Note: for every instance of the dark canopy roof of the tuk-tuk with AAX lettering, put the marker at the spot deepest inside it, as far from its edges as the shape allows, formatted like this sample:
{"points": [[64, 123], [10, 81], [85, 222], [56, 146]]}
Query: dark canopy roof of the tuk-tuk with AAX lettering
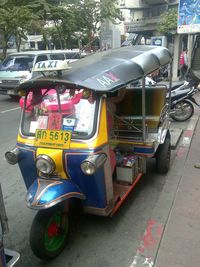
{"points": [[109, 70]]}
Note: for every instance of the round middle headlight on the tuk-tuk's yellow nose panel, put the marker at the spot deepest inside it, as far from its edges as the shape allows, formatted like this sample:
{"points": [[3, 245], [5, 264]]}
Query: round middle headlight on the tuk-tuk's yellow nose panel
{"points": [[45, 164]]}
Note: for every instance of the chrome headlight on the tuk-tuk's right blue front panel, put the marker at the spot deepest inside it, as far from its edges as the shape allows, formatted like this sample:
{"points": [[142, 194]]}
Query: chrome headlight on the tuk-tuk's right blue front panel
{"points": [[90, 165]]}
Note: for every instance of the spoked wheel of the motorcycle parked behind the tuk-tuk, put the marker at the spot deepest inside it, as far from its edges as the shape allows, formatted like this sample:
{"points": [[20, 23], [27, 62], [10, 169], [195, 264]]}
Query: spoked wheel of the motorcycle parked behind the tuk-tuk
{"points": [[182, 111]]}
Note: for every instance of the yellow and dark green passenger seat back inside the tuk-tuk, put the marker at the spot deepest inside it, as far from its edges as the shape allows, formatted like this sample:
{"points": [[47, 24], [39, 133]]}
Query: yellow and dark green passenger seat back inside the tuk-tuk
{"points": [[131, 108]]}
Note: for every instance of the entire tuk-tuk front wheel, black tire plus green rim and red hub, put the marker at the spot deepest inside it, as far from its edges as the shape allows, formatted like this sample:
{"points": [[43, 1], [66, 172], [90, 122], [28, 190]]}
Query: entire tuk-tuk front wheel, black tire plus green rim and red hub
{"points": [[49, 232]]}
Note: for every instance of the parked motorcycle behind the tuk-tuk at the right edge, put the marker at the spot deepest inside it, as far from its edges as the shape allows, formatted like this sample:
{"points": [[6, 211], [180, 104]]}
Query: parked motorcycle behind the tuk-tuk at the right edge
{"points": [[182, 101]]}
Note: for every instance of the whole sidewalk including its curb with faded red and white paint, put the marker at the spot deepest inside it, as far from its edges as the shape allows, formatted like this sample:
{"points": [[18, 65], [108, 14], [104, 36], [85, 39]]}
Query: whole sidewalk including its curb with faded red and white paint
{"points": [[172, 235]]}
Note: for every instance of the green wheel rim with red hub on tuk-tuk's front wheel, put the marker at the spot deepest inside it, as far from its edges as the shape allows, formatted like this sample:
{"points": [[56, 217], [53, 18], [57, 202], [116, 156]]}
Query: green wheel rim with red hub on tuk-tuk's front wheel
{"points": [[56, 231]]}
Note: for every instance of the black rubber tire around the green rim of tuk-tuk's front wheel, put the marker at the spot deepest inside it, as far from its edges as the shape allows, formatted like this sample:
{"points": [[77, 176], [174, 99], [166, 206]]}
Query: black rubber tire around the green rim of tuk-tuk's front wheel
{"points": [[38, 230]]}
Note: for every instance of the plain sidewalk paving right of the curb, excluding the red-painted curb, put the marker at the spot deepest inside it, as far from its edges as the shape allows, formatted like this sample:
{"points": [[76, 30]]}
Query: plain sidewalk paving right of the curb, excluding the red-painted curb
{"points": [[180, 242]]}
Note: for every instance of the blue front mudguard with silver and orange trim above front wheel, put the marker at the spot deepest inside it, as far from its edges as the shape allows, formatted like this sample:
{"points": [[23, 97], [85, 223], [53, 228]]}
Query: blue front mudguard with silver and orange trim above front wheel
{"points": [[45, 193]]}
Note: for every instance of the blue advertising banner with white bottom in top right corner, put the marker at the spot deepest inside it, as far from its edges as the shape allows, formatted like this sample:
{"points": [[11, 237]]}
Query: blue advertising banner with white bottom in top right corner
{"points": [[189, 16]]}
